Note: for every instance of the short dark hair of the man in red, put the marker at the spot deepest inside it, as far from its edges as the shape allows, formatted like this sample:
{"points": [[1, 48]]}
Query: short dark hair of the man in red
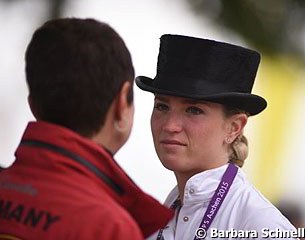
{"points": [[74, 70]]}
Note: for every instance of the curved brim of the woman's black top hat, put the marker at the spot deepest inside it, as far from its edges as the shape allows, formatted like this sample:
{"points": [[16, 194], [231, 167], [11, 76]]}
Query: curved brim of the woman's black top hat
{"points": [[251, 103]]}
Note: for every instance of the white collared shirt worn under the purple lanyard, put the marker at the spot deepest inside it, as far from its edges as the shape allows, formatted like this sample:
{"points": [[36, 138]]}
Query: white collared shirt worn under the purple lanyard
{"points": [[244, 208]]}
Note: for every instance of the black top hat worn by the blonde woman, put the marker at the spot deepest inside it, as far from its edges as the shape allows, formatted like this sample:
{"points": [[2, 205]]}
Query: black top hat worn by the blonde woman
{"points": [[208, 70]]}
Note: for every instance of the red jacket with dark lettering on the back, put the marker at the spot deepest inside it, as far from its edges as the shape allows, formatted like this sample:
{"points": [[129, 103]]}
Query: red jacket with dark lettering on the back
{"points": [[64, 186]]}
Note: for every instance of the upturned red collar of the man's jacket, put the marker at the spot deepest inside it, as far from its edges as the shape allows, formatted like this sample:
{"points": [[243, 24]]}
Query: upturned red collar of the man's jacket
{"points": [[132, 198]]}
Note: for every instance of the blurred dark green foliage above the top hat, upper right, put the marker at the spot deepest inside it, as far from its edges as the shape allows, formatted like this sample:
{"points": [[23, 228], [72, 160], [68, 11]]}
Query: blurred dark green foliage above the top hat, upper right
{"points": [[272, 26]]}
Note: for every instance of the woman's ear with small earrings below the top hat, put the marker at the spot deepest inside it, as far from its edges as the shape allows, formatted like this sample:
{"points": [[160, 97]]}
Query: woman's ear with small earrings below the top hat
{"points": [[237, 124]]}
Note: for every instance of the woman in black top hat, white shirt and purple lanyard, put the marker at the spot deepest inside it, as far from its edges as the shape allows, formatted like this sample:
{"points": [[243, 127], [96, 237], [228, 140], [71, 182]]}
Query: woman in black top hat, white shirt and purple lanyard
{"points": [[202, 103]]}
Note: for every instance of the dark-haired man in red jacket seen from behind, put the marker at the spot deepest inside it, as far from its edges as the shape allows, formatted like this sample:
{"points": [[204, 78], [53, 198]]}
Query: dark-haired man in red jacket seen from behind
{"points": [[65, 183]]}
